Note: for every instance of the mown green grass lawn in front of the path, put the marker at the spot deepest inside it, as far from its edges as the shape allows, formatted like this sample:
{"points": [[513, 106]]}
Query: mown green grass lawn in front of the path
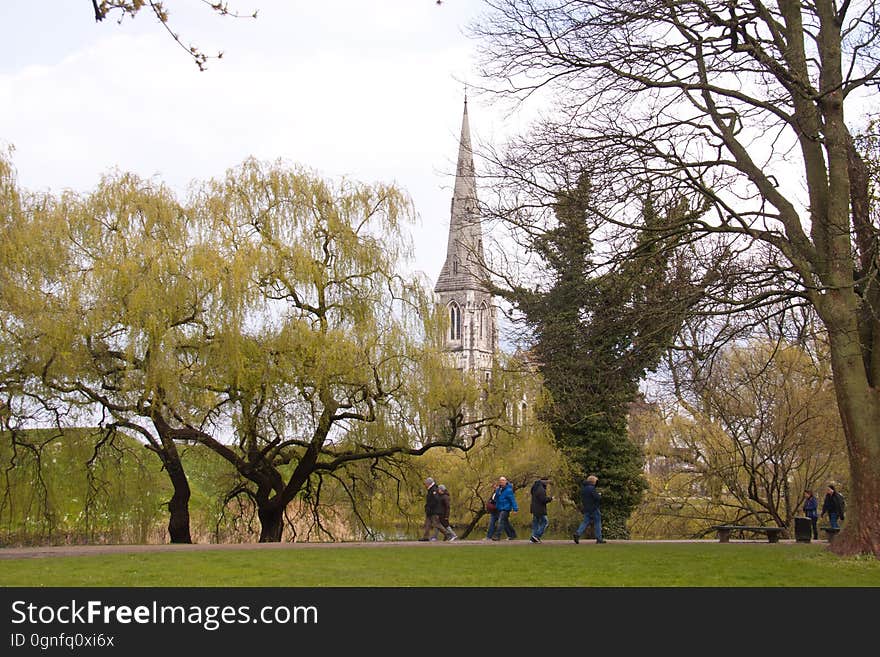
{"points": [[461, 565]]}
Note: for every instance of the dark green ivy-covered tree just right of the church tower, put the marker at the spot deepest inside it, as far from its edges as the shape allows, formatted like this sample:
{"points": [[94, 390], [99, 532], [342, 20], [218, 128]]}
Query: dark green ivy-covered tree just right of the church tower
{"points": [[595, 334]]}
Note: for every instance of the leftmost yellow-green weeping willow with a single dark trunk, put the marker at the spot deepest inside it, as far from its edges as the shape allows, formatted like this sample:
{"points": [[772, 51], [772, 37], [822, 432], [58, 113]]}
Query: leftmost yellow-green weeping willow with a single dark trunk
{"points": [[103, 305]]}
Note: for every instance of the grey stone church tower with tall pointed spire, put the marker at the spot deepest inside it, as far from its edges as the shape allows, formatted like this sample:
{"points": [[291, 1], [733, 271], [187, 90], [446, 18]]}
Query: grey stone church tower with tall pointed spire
{"points": [[471, 331]]}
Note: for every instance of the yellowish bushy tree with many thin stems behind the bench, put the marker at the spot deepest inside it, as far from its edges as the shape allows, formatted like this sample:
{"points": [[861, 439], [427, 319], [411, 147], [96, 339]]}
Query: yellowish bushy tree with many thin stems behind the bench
{"points": [[746, 438]]}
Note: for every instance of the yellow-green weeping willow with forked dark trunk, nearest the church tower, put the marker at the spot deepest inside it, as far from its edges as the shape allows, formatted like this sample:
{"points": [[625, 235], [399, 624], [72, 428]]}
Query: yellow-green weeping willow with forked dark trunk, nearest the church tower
{"points": [[320, 347]]}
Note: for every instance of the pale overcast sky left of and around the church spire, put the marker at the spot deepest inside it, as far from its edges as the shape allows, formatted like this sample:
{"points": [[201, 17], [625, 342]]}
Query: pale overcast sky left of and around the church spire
{"points": [[368, 89]]}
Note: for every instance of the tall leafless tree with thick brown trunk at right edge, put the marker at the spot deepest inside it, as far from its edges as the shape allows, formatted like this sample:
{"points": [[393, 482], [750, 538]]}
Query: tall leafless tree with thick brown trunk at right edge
{"points": [[743, 105]]}
